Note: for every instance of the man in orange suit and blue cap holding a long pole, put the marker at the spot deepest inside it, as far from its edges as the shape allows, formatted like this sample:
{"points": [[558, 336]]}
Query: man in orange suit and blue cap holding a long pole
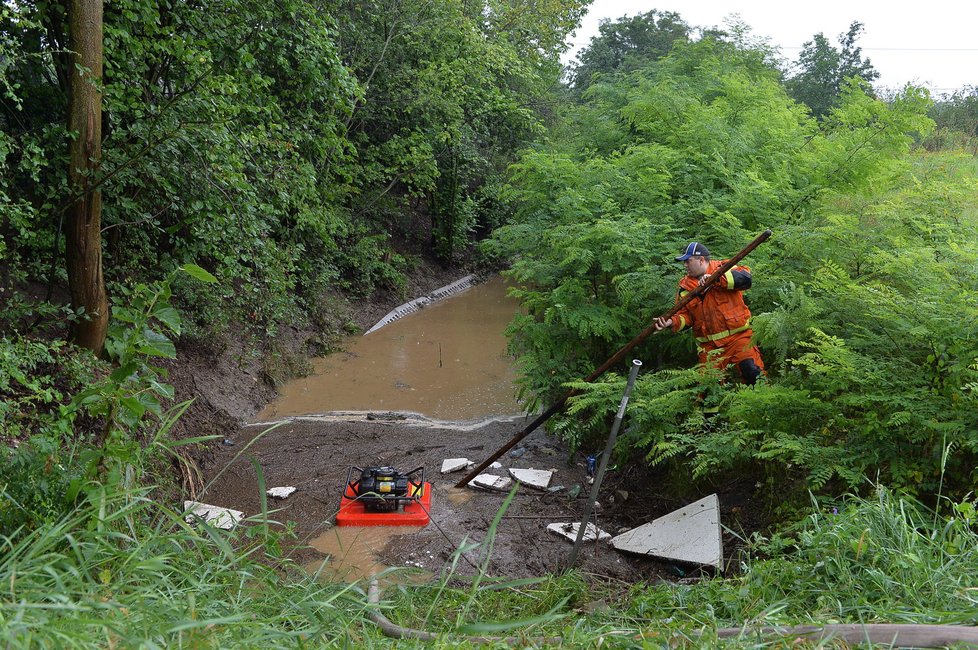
{"points": [[719, 318]]}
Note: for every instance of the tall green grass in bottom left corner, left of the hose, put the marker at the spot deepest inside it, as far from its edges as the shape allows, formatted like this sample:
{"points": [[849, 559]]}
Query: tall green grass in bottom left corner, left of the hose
{"points": [[126, 572]]}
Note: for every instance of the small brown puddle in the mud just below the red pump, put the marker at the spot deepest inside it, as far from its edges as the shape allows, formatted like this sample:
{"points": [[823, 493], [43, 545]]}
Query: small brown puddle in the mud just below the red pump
{"points": [[353, 552]]}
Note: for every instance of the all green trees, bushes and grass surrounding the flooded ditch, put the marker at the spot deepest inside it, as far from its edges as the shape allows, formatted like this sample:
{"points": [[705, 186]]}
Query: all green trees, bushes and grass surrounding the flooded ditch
{"points": [[254, 160]]}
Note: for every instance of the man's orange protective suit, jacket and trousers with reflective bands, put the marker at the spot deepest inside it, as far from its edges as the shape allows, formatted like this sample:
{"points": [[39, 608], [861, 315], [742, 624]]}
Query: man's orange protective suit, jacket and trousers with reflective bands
{"points": [[720, 319]]}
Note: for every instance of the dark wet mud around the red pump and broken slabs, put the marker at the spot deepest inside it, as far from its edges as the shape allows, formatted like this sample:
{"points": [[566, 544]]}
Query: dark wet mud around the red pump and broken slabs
{"points": [[314, 455]]}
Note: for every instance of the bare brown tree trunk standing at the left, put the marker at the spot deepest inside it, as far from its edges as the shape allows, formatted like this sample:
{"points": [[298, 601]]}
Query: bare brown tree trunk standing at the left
{"points": [[83, 238]]}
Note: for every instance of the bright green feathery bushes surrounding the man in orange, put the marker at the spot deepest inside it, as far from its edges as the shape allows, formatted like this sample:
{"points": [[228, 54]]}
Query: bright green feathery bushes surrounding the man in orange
{"points": [[863, 303]]}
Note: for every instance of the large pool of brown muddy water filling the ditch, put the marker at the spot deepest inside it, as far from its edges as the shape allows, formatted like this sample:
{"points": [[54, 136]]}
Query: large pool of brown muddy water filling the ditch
{"points": [[447, 361]]}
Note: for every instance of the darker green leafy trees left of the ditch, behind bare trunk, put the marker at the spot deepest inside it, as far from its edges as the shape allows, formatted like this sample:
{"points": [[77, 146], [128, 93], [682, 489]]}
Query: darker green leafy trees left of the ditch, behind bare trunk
{"points": [[291, 149]]}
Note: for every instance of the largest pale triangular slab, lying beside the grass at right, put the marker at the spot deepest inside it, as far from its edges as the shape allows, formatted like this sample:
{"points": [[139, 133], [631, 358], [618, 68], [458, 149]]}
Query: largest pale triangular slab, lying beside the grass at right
{"points": [[690, 534]]}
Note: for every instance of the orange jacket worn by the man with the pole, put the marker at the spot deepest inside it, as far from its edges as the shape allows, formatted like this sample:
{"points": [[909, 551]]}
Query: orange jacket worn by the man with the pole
{"points": [[721, 312]]}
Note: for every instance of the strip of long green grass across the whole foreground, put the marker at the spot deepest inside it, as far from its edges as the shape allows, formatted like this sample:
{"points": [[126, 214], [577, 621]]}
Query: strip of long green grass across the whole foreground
{"points": [[126, 572]]}
